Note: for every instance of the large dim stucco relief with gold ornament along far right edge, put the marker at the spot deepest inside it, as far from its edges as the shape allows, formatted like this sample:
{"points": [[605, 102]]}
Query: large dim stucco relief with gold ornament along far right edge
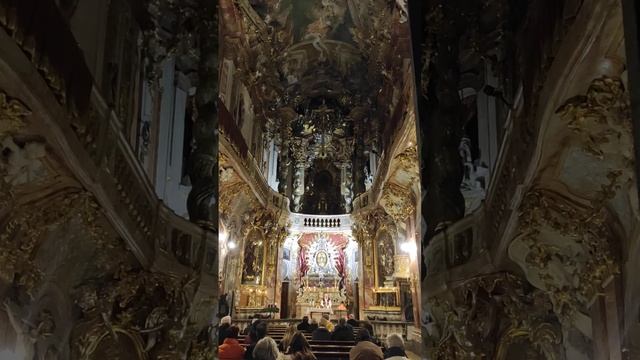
{"points": [[569, 222]]}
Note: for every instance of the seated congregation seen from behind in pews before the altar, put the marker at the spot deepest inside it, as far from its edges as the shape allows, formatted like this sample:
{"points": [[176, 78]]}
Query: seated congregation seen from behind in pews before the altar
{"points": [[304, 341]]}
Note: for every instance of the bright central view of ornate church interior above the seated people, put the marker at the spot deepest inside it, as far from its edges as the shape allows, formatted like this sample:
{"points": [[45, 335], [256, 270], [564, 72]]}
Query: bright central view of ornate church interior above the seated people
{"points": [[318, 158]]}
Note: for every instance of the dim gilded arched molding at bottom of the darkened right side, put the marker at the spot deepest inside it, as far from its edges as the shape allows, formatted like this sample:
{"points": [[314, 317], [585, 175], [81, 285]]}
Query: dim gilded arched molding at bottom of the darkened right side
{"points": [[483, 316]]}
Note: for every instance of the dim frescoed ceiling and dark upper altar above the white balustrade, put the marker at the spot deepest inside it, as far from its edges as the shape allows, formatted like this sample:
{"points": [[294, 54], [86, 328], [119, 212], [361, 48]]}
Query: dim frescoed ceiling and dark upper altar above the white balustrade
{"points": [[324, 78]]}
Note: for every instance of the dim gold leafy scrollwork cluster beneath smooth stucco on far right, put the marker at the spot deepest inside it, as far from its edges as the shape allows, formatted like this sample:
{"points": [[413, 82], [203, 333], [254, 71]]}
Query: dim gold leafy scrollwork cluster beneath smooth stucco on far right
{"points": [[584, 227]]}
